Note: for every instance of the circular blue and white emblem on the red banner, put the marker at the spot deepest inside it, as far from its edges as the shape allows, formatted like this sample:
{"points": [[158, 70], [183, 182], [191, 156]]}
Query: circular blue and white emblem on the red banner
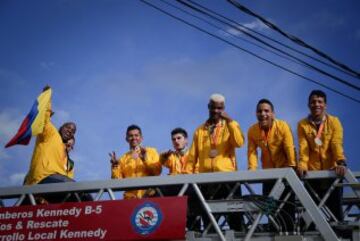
{"points": [[146, 218]]}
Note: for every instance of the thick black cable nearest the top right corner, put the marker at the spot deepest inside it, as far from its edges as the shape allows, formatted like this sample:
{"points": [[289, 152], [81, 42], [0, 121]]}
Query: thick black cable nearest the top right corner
{"points": [[292, 37]]}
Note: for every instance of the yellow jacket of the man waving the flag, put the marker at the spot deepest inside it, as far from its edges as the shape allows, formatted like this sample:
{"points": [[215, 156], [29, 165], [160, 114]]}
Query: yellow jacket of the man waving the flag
{"points": [[49, 156]]}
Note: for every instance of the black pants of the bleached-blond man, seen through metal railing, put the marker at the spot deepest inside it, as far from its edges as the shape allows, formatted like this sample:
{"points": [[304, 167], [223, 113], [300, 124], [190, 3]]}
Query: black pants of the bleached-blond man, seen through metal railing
{"points": [[218, 192]]}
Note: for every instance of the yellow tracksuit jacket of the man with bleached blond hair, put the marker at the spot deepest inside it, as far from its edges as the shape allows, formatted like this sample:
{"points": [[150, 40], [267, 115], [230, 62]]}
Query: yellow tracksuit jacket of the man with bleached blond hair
{"points": [[230, 137]]}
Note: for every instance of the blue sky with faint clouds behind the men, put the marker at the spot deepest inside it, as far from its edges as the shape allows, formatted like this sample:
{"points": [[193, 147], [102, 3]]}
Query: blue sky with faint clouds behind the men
{"points": [[114, 63]]}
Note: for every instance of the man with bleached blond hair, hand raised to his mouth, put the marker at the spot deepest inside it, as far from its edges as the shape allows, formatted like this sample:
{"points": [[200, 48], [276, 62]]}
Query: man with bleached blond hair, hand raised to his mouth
{"points": [[213, 149]]}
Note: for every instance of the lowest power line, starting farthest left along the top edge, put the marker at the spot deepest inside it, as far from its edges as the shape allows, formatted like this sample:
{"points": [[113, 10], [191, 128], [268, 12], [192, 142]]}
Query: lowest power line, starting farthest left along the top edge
{"points": [[249, 52]]}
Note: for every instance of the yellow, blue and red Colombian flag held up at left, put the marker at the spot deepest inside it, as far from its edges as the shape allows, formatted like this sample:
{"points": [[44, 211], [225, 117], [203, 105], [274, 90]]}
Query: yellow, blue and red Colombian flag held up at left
{"points": [[34, 122]]}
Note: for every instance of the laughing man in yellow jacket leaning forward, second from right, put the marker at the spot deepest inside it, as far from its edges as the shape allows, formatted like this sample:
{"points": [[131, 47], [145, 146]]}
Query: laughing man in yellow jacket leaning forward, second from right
{"points": [[275, 140]]}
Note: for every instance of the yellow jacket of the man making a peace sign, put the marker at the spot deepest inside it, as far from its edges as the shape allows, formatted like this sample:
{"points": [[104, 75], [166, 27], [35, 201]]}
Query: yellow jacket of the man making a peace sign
{"points": [[131, 168]]}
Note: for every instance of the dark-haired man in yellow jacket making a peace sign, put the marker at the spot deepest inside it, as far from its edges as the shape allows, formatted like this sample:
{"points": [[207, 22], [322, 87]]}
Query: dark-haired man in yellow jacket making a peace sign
{"points": [[138, 162]]}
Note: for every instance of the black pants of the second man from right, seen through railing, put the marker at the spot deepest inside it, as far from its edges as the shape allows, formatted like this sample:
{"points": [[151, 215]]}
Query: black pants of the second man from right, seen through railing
{"points": [[287, 214]]}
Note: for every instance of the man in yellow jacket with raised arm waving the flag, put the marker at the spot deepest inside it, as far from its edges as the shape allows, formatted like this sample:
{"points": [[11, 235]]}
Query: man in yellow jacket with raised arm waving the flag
{"points": [[49, 162]]}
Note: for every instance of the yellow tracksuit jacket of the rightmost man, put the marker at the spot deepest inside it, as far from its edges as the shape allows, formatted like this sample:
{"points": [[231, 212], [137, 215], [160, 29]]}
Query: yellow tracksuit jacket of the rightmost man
{"points": [[324, 157]]}
